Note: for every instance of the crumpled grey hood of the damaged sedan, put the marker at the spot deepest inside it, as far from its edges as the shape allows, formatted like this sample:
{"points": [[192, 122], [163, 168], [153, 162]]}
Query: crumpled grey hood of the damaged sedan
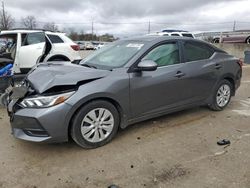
{"points": [[48, 75]]}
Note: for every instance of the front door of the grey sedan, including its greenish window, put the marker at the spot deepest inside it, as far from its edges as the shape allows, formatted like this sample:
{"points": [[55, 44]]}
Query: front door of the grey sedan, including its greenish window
{"points": [[153, 92]]}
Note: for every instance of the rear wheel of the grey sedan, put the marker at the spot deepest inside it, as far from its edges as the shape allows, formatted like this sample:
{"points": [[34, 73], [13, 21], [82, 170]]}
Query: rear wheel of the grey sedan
{"points": [[221, 99]]}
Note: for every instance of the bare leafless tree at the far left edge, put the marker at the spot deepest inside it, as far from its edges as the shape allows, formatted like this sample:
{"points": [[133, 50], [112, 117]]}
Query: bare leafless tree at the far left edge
{"points": [[6, 20]]}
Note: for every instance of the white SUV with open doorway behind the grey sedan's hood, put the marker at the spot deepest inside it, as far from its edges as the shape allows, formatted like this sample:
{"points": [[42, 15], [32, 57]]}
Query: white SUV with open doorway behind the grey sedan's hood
{"points": [[30, 47]]}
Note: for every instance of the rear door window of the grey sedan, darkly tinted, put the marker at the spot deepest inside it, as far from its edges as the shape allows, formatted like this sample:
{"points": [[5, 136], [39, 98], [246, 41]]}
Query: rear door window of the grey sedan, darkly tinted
{"points": [[197, 51]]}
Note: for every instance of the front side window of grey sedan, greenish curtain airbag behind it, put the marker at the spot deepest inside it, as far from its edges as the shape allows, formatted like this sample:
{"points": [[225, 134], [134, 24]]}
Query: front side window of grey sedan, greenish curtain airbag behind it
{"points": [[166, 54]]}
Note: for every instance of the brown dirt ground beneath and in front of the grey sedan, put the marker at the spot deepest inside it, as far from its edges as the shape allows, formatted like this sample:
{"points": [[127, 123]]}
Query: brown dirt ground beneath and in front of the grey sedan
{"points": [[177, 150]]}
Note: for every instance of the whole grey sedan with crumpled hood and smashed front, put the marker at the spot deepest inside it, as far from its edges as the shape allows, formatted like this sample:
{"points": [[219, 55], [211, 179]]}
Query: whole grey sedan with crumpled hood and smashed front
{"points": [[126, 82]]}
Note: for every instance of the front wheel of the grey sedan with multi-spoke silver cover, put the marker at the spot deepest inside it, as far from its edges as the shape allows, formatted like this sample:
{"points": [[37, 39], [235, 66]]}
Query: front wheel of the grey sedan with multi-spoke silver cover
{"points": [[87, 126]]}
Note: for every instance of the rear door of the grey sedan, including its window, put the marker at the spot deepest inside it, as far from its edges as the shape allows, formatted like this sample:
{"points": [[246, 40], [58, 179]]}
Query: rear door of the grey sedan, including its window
{"points": [[201, 69]]}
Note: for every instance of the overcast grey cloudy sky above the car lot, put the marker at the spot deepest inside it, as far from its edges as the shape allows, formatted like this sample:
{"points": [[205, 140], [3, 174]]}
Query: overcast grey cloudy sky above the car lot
{"points": [[125, 18]]}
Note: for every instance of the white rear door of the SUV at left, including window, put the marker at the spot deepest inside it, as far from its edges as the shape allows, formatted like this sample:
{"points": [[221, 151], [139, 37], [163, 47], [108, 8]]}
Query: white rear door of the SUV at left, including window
{"points": [[32, 48]]}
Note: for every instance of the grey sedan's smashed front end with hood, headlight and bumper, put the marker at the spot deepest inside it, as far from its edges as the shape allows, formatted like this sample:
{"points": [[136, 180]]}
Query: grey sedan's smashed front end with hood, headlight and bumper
{"points": [[38, 107]]}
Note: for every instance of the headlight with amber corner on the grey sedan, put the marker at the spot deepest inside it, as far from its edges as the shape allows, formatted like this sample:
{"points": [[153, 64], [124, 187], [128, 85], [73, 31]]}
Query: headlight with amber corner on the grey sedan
{"points": [[45, 101]]}
